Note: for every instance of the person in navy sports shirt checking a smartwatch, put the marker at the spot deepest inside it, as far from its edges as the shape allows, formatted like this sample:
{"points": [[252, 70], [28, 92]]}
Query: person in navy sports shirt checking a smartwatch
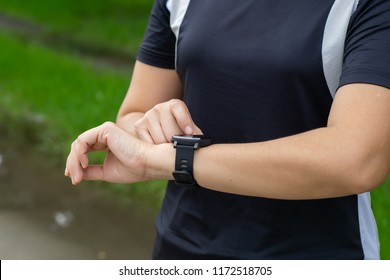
{"points": [[290, 169]]}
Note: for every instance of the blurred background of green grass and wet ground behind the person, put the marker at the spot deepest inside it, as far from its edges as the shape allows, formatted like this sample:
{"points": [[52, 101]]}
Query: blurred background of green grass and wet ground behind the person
{"points": [[65, 66]]}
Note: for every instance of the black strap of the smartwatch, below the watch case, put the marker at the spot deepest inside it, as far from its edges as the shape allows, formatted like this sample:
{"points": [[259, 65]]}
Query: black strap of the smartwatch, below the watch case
{"points": [[183, 173]]}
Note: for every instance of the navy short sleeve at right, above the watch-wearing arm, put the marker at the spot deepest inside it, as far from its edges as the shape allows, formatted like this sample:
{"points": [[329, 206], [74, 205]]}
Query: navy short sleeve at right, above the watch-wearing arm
{"points": [[367, 46]]}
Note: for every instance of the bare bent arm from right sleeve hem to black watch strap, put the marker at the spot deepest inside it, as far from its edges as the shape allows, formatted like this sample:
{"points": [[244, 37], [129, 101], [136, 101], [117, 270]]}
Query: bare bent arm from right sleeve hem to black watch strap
{"points": [[349, 156]]}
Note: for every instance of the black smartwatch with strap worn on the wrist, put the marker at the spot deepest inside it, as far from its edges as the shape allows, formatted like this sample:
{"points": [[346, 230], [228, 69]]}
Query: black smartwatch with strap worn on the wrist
{"points": [[185, 146]]}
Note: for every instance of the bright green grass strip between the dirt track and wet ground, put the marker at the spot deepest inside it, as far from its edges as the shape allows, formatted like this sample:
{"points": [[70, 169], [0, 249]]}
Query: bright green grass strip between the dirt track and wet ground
{"points": [[72, 94]]}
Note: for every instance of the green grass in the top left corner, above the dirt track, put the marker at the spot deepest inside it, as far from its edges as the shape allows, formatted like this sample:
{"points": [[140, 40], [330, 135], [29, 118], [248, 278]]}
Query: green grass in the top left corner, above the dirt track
{"points": [[110, 23]]}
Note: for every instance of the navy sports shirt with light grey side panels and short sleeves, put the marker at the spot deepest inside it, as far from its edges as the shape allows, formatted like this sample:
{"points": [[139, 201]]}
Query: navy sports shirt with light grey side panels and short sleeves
{"points": [[258, 70]]}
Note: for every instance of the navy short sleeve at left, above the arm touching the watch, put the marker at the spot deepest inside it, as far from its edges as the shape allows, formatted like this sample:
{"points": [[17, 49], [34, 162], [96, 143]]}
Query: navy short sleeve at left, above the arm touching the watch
{"points": [[158, 45]]}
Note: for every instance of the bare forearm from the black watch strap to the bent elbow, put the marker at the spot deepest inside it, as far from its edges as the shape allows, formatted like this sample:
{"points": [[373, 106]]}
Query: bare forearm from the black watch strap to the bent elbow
{"points": [[318, 164]]}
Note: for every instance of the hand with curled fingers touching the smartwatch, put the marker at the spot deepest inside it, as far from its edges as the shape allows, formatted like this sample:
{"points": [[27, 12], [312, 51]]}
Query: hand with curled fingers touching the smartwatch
{"points": [[164, 120]]}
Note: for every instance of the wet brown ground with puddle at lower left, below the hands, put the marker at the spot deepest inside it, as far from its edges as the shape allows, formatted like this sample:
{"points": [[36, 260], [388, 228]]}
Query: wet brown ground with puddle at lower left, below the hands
{"points": [[42, 216]]}
